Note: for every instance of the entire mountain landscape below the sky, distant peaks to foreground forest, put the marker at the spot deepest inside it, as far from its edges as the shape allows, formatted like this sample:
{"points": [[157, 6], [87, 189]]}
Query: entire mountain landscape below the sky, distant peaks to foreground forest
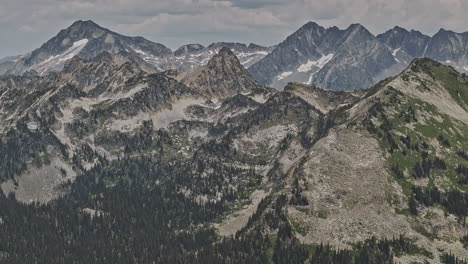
{"points": [[109, 157]]}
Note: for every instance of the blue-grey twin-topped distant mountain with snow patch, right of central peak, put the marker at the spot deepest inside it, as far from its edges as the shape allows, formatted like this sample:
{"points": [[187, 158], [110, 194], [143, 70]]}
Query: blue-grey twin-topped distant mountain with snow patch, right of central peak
{"points": [[335, 59]]}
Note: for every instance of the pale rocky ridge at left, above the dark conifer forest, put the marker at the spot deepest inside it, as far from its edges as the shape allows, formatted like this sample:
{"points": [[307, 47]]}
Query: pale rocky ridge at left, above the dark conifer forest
{"points": [[63, 113]]}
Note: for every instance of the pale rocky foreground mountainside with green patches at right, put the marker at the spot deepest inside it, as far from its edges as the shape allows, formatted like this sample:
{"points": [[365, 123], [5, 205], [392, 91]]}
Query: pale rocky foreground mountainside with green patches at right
{"points": [[412, 126]]}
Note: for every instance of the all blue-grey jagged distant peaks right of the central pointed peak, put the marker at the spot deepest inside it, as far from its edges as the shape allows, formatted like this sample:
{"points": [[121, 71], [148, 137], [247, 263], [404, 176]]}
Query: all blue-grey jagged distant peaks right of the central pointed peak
{"points": [[354, 58]]}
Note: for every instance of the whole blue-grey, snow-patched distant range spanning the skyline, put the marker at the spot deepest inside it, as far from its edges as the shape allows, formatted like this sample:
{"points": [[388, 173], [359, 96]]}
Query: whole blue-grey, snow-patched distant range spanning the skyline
{"points": [[330, 58]]}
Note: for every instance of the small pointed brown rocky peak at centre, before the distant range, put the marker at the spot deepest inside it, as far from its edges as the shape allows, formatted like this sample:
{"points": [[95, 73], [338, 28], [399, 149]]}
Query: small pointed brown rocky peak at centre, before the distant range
{"points": [[223, 76]]}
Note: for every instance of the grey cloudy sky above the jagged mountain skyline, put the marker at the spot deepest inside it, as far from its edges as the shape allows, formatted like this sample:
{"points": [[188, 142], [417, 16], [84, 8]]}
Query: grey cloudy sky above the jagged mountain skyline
{"points": [[26, 24]]}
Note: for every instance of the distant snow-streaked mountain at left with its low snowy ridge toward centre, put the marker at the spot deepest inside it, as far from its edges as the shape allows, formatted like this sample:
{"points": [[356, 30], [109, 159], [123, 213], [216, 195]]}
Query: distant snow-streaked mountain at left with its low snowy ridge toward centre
{"points": [[86, 39]]}
